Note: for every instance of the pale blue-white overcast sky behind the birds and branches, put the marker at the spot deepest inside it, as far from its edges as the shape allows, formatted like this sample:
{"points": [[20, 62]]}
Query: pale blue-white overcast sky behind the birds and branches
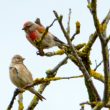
{"points": [[60, 95]]}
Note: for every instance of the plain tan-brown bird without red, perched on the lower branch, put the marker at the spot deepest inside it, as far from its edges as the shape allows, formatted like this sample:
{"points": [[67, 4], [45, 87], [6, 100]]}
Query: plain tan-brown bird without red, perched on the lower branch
{"points": [[21, 76]]}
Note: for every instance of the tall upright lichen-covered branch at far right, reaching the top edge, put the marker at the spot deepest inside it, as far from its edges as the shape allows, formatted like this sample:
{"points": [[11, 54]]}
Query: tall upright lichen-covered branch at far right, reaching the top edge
{"points": [[101, 31]]}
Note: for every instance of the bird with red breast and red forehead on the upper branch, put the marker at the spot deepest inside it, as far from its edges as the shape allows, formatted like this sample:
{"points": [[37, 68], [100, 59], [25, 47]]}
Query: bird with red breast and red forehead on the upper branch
{"points": [[34, 33]]}
